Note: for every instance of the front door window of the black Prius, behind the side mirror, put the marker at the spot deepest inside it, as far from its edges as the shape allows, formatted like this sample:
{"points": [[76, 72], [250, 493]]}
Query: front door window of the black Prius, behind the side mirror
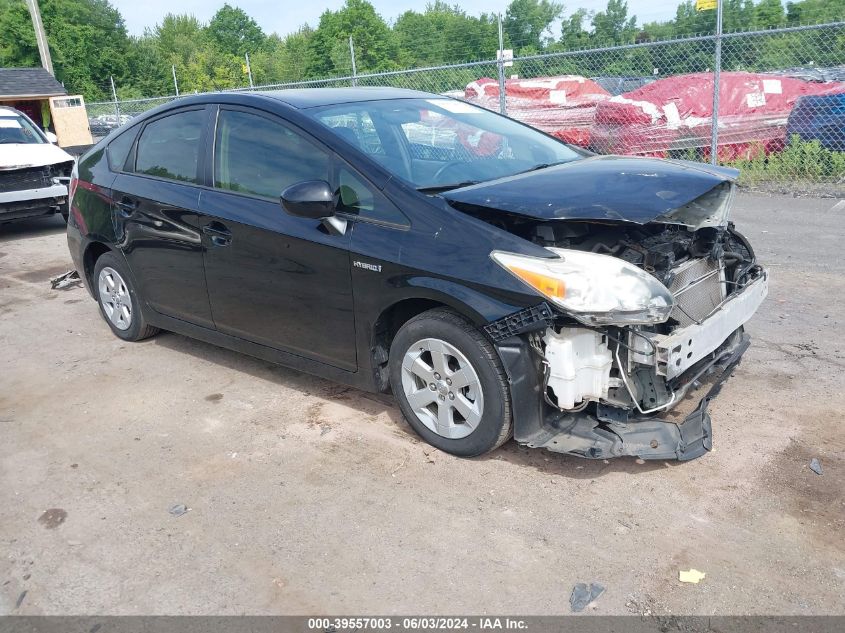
{"points": [[262, 157]]}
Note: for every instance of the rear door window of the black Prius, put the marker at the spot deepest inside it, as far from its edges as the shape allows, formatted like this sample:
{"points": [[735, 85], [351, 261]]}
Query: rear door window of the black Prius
{"points": [[170, 147]]}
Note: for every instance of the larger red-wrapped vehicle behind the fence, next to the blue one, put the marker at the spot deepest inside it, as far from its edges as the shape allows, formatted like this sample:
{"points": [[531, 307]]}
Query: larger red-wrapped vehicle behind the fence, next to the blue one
{"points": [[676, 113]]}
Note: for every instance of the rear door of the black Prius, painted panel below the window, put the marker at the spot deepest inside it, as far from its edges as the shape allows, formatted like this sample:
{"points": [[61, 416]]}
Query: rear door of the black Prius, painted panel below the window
{"points": [[158, 224]]}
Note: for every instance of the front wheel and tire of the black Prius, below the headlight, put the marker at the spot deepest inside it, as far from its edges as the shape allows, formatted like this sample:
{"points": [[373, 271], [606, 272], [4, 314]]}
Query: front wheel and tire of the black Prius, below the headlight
{"points": [[450, 384]]}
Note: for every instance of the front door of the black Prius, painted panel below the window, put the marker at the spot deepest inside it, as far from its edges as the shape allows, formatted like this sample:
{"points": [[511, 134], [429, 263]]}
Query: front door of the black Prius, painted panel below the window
{"points": [[280, 281]]}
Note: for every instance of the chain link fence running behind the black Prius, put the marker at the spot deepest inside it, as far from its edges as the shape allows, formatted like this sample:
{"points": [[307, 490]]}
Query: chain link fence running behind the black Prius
{"points": [[779, 100]]}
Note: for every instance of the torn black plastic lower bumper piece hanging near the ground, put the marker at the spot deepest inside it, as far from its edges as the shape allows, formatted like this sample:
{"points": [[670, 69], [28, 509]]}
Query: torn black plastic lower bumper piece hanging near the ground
{"points": [[646, 437]]}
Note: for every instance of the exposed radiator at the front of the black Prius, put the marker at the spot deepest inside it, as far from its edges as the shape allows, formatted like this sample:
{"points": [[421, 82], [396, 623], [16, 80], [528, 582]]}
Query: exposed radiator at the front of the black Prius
{"points": [[698, 288]]}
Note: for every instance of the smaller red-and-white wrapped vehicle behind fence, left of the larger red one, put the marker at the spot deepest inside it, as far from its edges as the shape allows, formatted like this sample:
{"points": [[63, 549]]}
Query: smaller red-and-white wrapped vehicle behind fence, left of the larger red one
{"points": [[564, 106]]}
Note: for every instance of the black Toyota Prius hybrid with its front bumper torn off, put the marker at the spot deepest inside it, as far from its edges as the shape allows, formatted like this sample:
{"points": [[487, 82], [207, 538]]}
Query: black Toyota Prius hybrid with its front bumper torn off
{"points": [[498, 281]]}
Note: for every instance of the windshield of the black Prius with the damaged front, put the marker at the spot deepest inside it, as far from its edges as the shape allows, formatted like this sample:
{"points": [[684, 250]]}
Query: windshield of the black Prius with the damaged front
{"points": [[438, 144]]}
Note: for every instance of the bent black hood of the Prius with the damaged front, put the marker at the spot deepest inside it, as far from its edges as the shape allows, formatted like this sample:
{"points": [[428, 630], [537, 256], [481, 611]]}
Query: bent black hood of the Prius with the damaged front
{"points": [[614, 188]]}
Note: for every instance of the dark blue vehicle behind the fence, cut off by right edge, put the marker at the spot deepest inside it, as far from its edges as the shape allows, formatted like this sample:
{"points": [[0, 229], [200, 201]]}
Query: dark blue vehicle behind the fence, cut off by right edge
{"points": [[819, 118]]}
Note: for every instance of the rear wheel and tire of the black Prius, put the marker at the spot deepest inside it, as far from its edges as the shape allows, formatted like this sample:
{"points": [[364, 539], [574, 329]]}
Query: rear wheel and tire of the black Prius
{"points": [[118, 301]]}
